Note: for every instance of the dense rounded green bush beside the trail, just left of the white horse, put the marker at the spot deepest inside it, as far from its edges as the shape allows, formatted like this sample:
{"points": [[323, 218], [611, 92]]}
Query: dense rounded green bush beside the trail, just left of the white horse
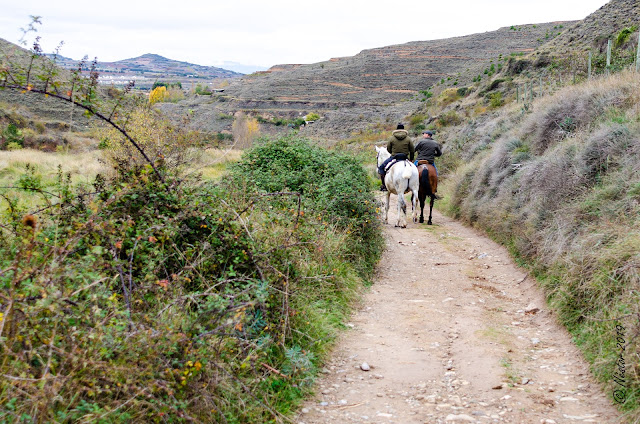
{"points": [[332, 183]]}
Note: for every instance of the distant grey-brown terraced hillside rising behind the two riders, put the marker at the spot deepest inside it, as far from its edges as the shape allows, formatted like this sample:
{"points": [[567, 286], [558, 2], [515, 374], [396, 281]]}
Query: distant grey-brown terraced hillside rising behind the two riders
{"points": [[376, 86]]}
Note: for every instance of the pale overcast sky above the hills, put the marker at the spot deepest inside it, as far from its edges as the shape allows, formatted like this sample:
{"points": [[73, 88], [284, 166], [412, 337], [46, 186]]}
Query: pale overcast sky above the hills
{"points": [[266, 32]]}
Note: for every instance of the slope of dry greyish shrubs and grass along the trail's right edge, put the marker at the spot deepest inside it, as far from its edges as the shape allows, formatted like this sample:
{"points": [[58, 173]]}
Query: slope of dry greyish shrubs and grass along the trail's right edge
{"points": [[560, 185]]}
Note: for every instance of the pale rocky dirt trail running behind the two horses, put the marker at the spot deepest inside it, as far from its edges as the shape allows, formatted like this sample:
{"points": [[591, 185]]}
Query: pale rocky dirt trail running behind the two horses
{"points": [[452, 331]]}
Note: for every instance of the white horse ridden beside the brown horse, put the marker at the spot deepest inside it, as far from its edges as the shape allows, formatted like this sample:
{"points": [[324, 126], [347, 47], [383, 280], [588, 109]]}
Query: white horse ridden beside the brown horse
{"points": [[400, 179]]}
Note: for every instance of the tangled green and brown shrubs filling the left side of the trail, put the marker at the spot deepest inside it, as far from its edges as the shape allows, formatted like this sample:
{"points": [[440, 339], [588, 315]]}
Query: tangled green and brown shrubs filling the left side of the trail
{"points": [[185, 301]]}
